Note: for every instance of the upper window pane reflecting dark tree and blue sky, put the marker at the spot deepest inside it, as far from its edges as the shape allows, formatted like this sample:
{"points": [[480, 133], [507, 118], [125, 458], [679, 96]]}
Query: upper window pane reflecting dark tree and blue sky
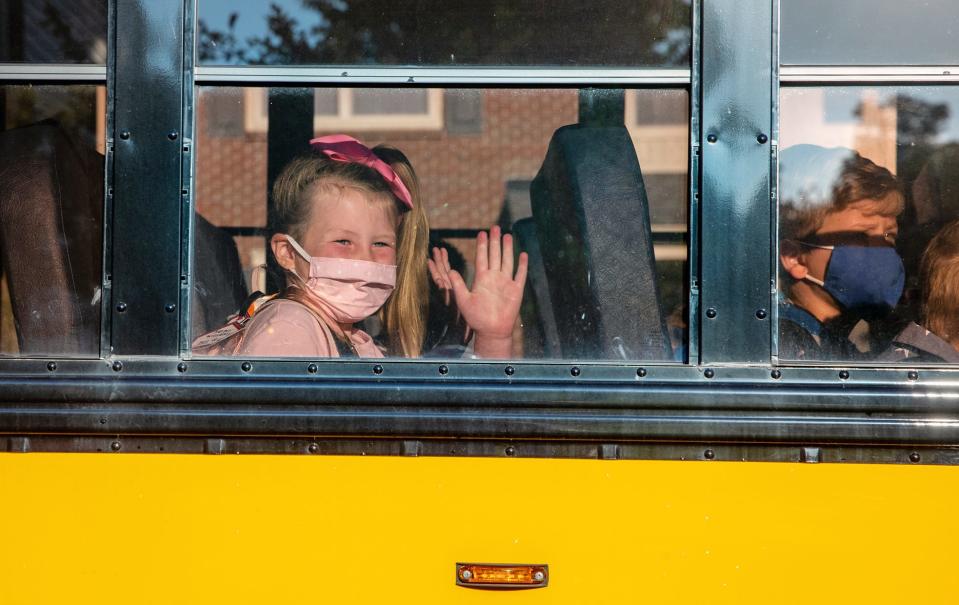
{"points": [[435, 32]]}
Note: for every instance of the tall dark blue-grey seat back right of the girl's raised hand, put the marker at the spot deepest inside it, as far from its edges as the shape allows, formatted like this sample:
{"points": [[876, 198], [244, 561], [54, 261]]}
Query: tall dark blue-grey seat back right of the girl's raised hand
{"points": [[592, 222]]}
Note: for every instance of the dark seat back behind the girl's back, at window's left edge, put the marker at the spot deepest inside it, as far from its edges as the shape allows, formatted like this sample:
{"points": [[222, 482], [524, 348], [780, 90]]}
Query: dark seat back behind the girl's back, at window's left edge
{"points": [[219, 288]]}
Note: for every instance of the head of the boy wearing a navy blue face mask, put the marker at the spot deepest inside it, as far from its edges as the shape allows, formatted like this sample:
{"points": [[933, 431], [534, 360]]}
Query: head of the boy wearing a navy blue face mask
{"points": [[838, 225]]}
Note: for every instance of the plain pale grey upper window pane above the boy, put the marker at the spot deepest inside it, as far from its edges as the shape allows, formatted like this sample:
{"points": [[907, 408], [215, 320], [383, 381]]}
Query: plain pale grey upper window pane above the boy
{"points": [[869, 32]]}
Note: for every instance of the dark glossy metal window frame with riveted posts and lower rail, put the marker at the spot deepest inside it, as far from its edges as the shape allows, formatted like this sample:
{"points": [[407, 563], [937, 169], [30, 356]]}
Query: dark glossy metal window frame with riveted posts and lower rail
{"points": [[722, 395]]}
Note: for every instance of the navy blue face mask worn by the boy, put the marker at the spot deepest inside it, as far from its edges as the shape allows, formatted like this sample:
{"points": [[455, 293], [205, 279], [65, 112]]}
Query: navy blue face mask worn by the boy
{"points": [[866, 280]]}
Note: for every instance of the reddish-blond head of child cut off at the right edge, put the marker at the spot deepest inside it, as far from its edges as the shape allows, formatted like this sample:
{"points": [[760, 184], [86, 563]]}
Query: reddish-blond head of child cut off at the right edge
{"points": [[940, 284]]}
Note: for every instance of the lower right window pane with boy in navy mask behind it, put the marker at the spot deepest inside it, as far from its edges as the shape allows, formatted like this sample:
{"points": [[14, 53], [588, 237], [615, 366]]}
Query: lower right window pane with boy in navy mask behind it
{"points": [[869, 238]]}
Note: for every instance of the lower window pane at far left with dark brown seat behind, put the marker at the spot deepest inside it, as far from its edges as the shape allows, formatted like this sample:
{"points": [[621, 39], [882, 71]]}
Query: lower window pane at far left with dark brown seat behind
{"points": [[51, 208]]}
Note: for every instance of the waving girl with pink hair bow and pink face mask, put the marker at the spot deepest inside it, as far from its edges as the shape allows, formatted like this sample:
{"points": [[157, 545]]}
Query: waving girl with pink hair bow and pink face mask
{"points": [[341, 222]]}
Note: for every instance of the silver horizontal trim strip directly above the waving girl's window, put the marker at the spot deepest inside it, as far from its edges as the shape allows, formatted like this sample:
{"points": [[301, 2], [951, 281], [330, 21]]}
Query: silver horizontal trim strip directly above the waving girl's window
{"points": [[438, 75]]}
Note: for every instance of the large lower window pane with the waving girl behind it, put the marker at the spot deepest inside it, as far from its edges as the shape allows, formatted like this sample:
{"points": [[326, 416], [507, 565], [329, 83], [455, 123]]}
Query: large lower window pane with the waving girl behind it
{"points": [[482, 158]]}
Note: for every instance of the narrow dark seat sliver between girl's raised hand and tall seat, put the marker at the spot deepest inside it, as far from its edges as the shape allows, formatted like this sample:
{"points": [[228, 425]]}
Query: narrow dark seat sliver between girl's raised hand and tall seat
{"points": [[540, 335]]}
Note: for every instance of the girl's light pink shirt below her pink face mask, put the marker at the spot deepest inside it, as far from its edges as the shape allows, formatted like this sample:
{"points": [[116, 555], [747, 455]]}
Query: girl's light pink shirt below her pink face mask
{"points": [[285, 328]]}
